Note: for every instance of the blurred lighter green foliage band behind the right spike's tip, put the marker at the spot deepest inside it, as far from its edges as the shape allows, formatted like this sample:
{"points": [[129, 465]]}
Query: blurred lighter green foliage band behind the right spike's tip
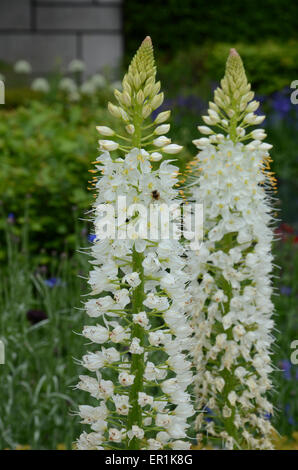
{"points": [[270, 66]]}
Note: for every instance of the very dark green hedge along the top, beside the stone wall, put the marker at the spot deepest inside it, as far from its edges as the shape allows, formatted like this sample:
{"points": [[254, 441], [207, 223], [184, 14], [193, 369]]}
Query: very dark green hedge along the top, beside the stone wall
{"points": [[176, 24]]}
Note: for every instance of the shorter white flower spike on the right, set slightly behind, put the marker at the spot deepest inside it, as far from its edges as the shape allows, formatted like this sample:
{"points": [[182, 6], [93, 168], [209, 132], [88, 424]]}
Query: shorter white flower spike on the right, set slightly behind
{"points": [[231, 286]]}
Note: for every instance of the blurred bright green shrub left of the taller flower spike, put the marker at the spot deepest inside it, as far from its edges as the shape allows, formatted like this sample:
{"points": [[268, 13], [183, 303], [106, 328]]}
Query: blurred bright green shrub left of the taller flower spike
{"points": [[46, 151]]}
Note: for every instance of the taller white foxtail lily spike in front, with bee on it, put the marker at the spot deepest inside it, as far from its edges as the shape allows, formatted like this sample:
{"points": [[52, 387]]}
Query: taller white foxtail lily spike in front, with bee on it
{"points": [[138, 283]]}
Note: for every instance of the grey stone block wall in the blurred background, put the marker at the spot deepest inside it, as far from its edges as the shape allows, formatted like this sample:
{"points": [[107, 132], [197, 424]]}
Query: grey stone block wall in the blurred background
{"points": [[51, 32]]}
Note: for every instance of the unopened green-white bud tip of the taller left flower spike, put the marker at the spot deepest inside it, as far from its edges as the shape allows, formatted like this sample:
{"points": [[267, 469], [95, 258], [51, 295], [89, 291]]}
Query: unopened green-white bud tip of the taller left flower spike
{"points": [[139, 97]]}
